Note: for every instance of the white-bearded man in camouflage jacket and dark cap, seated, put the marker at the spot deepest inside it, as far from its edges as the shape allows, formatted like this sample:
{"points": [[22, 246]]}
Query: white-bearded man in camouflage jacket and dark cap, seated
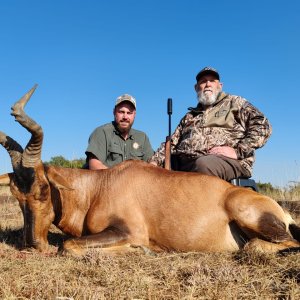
{"points": [[219, 136]]}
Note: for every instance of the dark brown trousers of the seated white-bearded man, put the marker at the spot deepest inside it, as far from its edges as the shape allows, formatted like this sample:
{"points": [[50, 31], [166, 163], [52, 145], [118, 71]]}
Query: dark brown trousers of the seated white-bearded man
{"points": [[216, 165]]}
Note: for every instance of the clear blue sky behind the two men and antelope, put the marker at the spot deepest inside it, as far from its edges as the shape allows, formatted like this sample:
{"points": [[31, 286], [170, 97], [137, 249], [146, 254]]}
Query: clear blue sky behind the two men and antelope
{"points": [[83, 54]]}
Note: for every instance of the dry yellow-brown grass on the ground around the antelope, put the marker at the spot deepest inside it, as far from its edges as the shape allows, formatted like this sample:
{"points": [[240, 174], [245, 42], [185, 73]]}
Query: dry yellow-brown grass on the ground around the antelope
{"points": [[240, 275]]}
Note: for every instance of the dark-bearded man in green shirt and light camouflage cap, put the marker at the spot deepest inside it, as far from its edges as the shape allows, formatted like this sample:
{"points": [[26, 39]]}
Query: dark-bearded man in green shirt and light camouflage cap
{"points": [[115, 142]]}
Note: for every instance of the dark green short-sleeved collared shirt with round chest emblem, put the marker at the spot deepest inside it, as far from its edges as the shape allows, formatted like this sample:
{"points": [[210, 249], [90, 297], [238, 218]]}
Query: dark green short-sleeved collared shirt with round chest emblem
{"points": [[107, 144]]}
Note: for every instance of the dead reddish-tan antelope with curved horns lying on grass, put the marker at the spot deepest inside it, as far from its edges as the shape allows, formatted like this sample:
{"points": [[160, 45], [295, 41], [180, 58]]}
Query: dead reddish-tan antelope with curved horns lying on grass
{"points": [[139, 205]]}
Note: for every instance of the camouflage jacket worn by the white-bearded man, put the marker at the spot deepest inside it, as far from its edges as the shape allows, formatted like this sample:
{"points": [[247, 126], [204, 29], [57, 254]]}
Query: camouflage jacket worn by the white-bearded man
{"points": [[232, 121]]}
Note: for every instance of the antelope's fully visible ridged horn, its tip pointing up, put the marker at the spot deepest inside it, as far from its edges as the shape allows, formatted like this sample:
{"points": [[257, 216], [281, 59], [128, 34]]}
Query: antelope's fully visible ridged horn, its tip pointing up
{"points": [[32, 152]]}
